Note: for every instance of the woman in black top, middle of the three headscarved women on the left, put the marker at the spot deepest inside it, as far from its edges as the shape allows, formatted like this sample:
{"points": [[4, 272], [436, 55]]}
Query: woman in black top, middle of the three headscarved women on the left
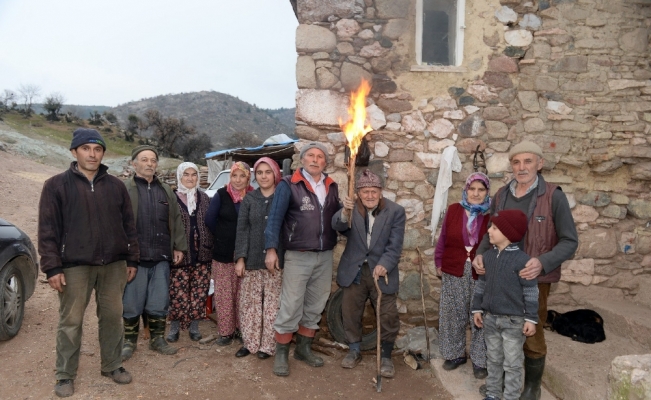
{"points": [[221, 219]]}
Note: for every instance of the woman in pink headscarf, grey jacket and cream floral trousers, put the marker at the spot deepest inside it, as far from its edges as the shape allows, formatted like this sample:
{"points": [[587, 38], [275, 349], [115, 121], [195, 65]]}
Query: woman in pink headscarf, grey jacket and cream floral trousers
{"points": [[260, 290]]}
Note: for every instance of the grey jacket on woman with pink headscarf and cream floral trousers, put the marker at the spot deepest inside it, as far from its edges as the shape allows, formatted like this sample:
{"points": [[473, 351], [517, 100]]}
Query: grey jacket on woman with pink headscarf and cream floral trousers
{"points": [[251, 223]]}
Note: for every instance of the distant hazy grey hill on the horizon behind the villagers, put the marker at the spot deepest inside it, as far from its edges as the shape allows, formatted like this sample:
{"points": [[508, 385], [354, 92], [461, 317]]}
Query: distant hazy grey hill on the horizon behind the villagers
{"points": [[217, 114]]}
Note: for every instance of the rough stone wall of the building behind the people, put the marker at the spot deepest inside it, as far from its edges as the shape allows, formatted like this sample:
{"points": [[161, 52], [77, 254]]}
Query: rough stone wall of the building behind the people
{"points": [[571, 75]]}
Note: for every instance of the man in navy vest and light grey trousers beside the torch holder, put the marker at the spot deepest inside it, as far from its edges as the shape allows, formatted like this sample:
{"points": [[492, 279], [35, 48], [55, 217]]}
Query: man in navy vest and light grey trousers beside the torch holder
{"points": [[301, 215]]}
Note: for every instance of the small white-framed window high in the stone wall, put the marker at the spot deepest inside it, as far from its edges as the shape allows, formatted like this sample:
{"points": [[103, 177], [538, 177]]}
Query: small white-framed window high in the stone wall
{"points": [[439, 32]]}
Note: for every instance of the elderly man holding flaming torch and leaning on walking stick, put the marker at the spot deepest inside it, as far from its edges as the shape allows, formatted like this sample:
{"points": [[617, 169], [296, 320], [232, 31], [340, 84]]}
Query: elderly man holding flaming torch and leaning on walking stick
{"points": [[372, 251]]}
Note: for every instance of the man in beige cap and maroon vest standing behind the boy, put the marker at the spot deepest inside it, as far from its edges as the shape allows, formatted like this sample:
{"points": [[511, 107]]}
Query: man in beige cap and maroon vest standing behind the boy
{"points": [[551, 239]]}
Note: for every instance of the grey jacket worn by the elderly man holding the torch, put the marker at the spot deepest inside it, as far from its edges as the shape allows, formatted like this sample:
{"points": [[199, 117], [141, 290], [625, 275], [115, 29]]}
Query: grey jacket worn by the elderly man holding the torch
{"points": [[386, 243]]}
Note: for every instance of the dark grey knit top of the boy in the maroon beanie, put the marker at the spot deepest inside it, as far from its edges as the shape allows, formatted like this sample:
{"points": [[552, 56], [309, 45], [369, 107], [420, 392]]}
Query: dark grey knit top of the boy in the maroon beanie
{"points": [[501, 291]]}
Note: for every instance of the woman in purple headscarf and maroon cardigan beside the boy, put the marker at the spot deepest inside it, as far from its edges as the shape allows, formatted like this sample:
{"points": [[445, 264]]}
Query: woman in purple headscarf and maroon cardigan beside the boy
{"points": [[464, 226]]}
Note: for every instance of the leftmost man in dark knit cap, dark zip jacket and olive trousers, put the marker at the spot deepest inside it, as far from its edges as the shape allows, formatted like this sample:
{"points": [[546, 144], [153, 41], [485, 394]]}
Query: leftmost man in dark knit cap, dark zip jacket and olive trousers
{"points": [[87, 240]]}
